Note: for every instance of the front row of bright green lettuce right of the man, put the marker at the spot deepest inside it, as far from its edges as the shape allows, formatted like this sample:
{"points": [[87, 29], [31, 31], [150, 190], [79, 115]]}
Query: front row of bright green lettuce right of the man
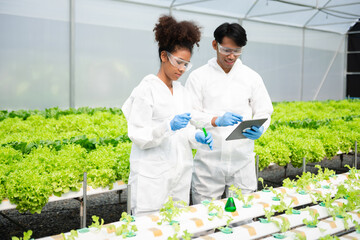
{"points": [[287, 144]]}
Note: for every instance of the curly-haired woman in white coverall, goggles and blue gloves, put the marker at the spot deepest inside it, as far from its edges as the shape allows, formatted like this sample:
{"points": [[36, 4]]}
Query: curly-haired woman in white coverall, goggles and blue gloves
{"points": [[158, 112]]}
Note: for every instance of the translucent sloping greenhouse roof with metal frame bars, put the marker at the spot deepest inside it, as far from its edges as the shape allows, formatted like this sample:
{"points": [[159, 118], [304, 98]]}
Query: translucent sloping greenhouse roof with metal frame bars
{"points": [[326, 15]]}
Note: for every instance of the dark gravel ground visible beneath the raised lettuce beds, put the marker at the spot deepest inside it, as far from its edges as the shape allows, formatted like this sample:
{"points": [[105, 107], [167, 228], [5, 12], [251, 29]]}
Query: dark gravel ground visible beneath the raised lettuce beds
{"points": [[62, 216]]}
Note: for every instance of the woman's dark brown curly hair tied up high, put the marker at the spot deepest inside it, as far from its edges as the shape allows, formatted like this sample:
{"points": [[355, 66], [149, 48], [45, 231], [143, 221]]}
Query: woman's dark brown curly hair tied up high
{"points": [[172, 35]]}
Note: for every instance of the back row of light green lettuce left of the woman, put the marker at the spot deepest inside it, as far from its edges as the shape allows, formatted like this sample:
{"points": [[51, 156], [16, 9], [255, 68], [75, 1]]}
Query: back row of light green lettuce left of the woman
{"points": [[37, 127]]}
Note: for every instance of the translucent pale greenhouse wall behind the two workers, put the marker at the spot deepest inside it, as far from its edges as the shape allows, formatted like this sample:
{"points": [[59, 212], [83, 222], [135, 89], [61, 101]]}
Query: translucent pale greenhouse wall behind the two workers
{"points": [[115, 49]]}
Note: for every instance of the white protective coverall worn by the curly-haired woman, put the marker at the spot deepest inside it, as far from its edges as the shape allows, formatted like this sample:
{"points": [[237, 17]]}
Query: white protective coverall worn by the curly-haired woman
{"points": [[161, 159]]}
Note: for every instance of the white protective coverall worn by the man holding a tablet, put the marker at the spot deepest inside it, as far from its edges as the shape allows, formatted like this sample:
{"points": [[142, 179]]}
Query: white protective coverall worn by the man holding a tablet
{"points": [[213, 93]]}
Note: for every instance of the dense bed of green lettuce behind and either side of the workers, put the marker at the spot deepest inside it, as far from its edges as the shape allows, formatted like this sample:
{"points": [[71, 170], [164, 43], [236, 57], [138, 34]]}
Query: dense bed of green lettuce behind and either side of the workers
{"points": [[25, 135]]}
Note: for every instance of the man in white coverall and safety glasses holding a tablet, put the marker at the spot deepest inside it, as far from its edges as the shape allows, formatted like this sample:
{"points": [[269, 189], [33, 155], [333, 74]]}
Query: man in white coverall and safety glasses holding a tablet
{"points": [[224, 93]]}
